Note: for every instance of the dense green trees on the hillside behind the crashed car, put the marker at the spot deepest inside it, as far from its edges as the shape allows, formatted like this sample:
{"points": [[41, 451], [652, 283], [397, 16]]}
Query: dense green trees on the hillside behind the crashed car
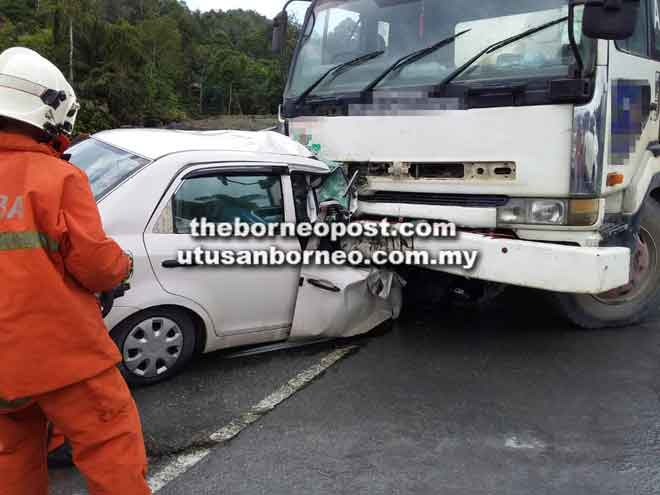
{"points": [[151, 62]]}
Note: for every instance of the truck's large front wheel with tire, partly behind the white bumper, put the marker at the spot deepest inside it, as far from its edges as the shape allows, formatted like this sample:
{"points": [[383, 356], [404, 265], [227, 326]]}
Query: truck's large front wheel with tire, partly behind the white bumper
{"points": [[632, 303]]}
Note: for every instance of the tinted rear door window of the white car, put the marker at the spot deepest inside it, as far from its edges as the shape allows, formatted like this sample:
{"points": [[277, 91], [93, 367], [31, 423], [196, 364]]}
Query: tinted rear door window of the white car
{"points": [[226, 198]]}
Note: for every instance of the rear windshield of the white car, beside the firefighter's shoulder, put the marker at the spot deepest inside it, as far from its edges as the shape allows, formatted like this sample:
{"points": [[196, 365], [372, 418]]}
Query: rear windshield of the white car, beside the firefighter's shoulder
{"points": [[105, 165]]}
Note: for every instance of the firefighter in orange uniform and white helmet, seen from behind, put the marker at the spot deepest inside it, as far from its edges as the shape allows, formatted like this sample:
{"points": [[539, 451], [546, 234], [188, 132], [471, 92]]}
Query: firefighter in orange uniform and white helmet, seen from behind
{"points": [[57, 361]]}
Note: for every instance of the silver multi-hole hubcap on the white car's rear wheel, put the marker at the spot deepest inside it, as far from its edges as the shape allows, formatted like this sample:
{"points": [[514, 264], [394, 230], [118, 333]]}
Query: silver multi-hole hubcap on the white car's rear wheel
{"points": [[152, 347]]}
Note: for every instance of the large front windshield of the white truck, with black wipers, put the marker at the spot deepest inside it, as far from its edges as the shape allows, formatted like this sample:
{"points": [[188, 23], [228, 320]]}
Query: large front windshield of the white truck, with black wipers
{"points": [[340, 30]]}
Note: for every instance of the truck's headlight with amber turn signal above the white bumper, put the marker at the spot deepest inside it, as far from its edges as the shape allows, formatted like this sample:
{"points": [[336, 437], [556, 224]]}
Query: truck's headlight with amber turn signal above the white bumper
{"points": [[549, 212]]}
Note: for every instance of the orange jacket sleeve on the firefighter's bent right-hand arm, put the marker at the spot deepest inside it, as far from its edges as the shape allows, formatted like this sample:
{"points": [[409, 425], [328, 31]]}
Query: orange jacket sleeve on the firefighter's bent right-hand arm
{"points": [[94, 260]]}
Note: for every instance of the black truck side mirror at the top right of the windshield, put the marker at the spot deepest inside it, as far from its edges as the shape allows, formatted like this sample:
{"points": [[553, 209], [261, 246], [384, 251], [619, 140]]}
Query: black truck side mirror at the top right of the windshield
{"points": [[609, 19]]}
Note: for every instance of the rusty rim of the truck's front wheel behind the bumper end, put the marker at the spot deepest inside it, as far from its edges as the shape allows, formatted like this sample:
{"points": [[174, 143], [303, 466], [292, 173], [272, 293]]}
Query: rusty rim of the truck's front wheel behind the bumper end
{"points": [[644, 265]]}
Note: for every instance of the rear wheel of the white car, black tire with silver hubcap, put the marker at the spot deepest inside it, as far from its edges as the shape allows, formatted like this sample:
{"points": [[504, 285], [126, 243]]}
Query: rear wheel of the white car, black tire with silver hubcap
{"points": [[155, 345]]}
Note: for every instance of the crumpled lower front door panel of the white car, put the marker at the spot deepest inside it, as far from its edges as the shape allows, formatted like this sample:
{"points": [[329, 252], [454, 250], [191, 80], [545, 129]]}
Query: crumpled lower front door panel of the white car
{"points": [[344, 301]]}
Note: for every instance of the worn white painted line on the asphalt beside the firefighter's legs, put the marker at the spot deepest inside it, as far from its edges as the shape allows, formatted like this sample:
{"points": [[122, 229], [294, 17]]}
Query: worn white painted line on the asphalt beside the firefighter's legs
{"points": [[184, 462]]}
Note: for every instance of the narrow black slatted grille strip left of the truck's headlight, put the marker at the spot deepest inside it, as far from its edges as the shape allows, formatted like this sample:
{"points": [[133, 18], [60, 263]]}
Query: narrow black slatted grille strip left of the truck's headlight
{"points": [[463, 200]]}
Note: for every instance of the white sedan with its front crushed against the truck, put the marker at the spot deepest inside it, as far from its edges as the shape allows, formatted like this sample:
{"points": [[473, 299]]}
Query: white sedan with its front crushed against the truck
{"points": [[150, 184]]}
